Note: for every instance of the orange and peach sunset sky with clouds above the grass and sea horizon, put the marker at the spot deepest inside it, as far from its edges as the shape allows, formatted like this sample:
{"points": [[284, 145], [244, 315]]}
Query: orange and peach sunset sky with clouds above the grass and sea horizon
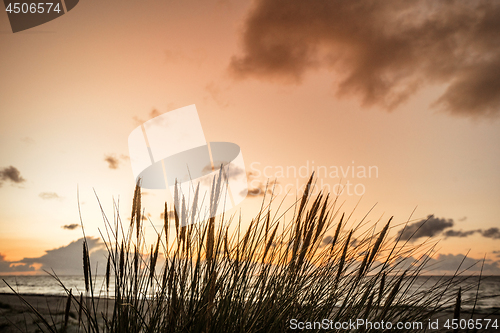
{"points": [[408, 91]]}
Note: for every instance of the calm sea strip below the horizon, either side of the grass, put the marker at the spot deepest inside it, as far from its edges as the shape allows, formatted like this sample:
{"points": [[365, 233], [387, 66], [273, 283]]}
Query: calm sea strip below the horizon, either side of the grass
{"points": [[489, 291]]}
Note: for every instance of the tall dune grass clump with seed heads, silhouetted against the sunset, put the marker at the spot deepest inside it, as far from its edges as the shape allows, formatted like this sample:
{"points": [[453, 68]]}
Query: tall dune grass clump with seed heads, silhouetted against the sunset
{"points": [[209, 277]]}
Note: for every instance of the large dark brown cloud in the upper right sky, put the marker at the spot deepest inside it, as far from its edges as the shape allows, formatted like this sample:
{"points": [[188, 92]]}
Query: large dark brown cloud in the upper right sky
{"points": [[380, 51]]}
